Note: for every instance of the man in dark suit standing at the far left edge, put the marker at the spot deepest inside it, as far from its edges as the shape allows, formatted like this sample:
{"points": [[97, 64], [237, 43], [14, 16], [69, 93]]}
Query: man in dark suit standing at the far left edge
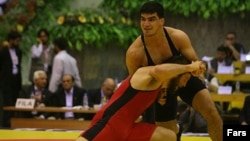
{"points": [[10, 73]]}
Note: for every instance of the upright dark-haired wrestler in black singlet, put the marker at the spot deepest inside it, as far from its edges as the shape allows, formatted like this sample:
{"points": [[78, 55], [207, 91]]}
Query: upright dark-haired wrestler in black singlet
{"points": [[156, 44]]}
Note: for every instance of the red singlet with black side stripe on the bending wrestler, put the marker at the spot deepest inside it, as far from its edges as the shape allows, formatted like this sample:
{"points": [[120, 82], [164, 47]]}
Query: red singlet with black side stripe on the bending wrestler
{"points": [[115, 121]]}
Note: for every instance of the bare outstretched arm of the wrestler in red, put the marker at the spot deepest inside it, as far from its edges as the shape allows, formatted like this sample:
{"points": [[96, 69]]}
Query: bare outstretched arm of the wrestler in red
{"points": [[154, 76]]}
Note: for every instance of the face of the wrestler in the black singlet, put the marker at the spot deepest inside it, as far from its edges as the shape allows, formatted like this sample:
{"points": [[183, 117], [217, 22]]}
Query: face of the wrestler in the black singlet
{"points": [[151, 24]]}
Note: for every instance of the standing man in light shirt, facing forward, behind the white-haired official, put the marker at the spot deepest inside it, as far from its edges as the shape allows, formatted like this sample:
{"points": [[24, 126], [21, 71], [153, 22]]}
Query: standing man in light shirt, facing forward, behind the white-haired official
{"points": [[42, 54]]}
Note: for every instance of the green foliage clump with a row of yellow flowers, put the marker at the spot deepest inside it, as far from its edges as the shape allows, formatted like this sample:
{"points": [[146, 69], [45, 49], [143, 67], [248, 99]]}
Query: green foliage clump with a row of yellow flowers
{"points": [[95, 28]]}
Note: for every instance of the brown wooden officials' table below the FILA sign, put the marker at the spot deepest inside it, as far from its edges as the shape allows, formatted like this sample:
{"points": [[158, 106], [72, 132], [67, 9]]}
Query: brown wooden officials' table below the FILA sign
{"points": [[73, 124]]}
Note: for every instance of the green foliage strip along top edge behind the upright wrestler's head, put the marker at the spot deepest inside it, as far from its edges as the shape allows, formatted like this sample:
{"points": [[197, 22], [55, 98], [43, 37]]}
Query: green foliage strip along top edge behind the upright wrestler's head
{"points": [[202, 8]]}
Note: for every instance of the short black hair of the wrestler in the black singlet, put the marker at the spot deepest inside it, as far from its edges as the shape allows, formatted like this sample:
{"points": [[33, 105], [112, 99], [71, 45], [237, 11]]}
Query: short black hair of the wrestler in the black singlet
{"points": [[152, 7]]}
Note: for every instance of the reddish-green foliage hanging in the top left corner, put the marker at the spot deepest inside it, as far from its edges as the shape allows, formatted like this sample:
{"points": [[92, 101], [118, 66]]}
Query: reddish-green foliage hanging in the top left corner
{"points": [[28, 16]]}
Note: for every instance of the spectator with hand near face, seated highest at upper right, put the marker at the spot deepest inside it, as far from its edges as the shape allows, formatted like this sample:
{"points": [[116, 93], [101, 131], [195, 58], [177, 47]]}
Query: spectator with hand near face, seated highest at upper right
{"points": [[233, 48]]}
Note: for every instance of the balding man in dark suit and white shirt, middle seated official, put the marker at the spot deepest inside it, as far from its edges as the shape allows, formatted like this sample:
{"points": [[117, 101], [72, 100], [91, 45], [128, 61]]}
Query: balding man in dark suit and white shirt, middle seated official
{"points": [[69, 96]]}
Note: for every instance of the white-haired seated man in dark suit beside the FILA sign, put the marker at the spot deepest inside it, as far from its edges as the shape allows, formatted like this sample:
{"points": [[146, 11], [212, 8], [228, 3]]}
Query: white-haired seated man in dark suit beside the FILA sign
{"points": [[39, 92]]}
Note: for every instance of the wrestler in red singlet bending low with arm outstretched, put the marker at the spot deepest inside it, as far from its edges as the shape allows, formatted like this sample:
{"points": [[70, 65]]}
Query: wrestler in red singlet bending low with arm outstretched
{"points": [[116, 120]]}
